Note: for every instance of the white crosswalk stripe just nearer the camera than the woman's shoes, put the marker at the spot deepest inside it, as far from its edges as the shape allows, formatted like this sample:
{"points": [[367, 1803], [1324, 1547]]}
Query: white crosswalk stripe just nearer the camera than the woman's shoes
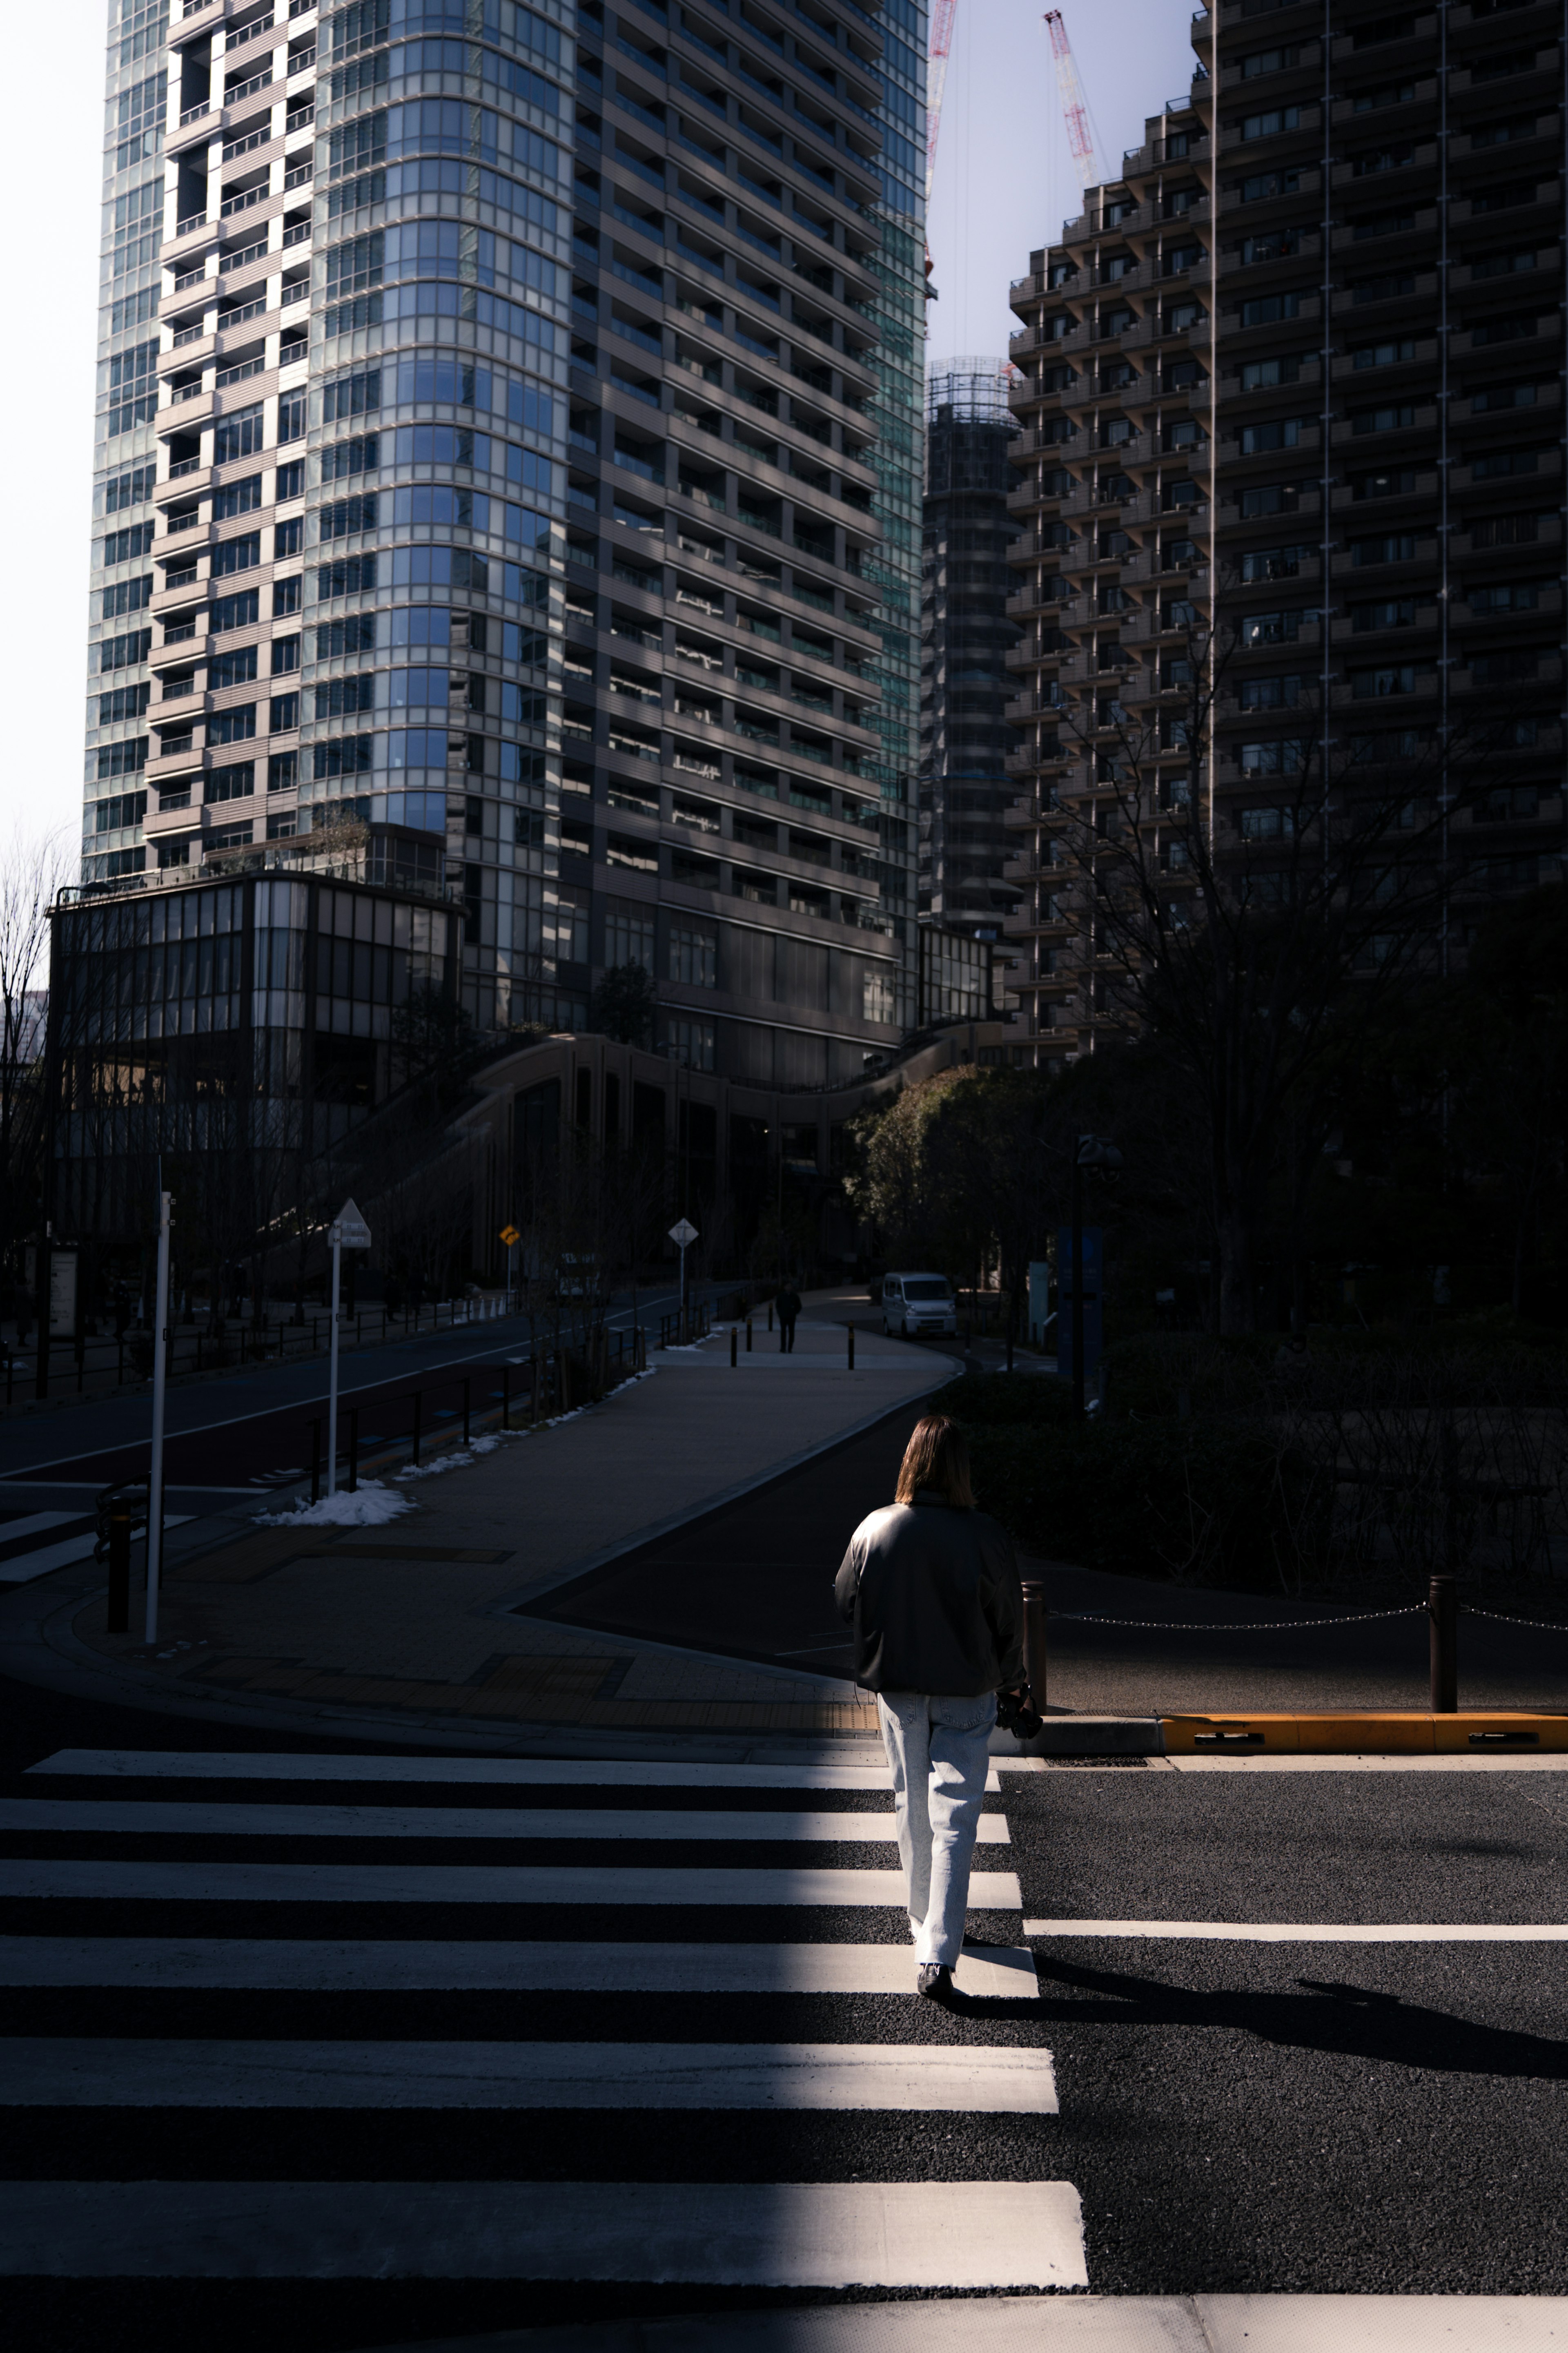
{"points": [[100, 2072]]}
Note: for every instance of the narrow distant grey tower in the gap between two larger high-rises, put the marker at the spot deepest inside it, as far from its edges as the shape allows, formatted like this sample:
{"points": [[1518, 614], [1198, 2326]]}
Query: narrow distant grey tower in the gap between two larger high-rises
{"points": [[965, 684]]}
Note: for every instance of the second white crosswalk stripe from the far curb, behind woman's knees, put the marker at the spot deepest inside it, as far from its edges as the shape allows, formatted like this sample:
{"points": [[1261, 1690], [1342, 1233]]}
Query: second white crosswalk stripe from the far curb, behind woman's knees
{"points": [[142, 1818]]}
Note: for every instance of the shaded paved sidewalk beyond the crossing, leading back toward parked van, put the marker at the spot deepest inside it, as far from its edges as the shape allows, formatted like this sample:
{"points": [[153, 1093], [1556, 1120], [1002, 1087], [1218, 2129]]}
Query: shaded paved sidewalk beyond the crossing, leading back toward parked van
{"points": [[413, 1622]]}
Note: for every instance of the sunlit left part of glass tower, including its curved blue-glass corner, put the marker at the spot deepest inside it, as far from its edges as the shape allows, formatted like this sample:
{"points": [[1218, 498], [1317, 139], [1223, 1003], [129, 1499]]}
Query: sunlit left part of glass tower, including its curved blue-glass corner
{"points": [[333, 434]]}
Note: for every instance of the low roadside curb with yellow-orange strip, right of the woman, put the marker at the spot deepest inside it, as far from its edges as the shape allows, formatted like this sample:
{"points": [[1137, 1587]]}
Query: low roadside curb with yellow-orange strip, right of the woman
{"points": [[1341, 1733]]}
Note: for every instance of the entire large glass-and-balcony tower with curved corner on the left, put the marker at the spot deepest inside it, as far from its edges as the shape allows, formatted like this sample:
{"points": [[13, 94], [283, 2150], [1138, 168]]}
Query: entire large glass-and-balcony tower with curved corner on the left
{"points": [[509, 434]]}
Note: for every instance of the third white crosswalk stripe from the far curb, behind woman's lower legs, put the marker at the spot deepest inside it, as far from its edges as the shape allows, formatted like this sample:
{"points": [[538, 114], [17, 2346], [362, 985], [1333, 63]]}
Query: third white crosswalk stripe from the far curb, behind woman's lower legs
{"points": [[471, 1884]]}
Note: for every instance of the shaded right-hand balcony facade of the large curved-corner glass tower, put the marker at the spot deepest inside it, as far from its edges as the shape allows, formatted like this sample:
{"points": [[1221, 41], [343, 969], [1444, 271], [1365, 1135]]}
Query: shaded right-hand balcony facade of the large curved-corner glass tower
{"points": [[737, 780]]}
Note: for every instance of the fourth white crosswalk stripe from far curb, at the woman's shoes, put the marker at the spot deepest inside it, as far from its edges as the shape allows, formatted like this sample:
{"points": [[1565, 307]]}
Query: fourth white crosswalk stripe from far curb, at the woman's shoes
{"points": [[340, 1966]]}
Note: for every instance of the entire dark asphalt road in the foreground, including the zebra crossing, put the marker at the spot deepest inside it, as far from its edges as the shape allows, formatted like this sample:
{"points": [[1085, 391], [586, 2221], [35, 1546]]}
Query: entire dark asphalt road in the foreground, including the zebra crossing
{"points": [[384, 2086]]}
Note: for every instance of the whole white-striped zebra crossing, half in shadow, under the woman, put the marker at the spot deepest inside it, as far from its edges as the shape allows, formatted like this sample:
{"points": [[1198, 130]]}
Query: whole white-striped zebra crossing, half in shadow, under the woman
{"points": [[366, 2020]]}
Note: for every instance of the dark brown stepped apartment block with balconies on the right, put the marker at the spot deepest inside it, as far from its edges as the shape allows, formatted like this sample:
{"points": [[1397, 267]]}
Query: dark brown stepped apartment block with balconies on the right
{"points": [[1292, 387]]}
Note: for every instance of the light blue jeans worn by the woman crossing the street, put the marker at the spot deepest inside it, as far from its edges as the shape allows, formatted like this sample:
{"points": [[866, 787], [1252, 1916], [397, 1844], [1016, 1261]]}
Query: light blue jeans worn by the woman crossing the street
{"points": [[939, 1752]]}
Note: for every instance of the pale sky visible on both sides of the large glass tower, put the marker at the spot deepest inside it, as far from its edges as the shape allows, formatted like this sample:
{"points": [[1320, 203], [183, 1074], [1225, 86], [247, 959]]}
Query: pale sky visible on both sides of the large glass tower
{"points": [[1005, 182]]}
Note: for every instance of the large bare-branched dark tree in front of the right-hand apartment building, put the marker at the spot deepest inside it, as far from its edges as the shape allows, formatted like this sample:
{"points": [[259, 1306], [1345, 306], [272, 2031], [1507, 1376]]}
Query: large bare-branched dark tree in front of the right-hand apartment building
{"points": [[1257, 942]]}
